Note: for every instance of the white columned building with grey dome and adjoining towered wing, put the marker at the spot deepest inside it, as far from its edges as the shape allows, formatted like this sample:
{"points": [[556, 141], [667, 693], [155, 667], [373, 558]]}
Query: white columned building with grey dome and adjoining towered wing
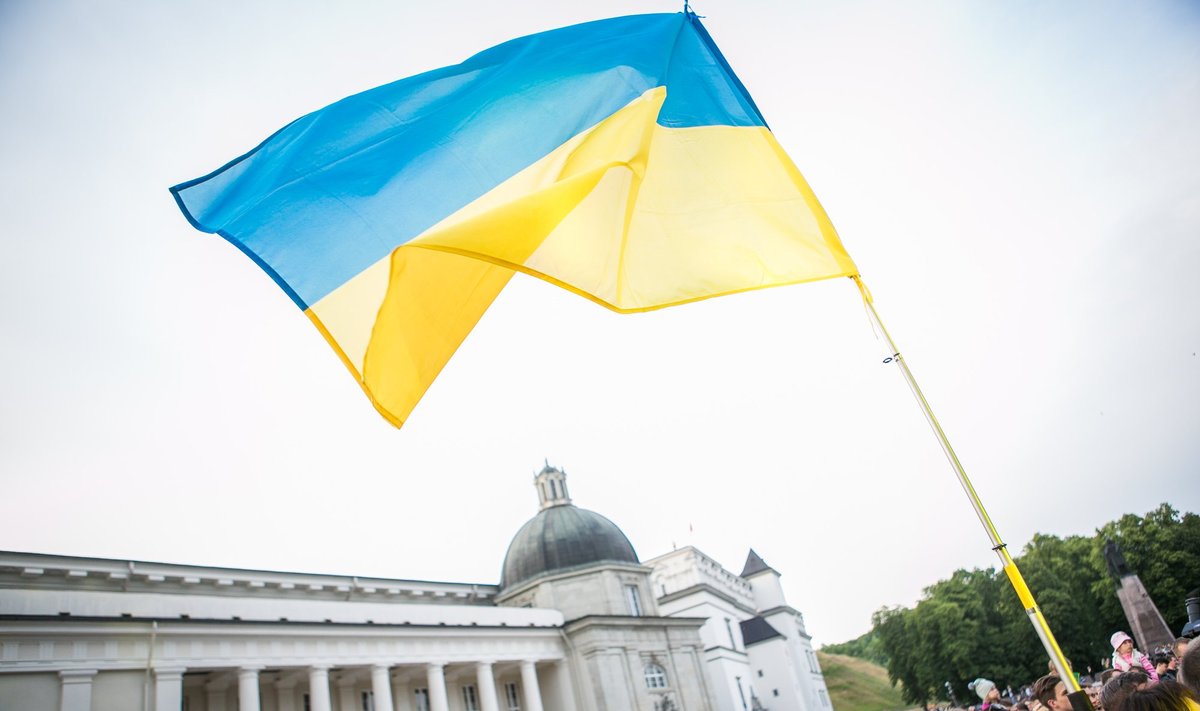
{"points": [[578, 623]]}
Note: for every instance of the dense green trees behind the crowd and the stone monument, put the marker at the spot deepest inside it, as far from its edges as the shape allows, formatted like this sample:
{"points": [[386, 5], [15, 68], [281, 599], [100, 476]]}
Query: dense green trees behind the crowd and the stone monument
{"points": [[973, 625]]}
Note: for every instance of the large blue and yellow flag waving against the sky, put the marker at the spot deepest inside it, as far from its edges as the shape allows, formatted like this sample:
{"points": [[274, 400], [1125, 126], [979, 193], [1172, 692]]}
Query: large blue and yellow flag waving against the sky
{"points": [[621, 159]]}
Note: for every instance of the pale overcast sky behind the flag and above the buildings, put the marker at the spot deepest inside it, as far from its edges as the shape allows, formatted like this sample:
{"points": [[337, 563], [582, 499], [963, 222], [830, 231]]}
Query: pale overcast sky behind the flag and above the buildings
{"points": [[1018, 182]]}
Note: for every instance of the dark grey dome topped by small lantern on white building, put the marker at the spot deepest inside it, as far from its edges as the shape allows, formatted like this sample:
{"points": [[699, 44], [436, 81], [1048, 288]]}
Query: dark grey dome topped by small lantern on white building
{"points": [[562, 537]]}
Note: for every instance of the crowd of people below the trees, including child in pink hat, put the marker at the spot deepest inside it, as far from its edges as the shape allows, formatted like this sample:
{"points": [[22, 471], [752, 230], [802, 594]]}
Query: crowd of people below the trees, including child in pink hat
{"points": [[1166, 680]]}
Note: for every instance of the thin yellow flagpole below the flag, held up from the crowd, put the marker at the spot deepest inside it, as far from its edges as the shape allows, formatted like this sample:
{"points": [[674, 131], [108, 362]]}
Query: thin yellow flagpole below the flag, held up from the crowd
{"points": [[1000, 547]]}
